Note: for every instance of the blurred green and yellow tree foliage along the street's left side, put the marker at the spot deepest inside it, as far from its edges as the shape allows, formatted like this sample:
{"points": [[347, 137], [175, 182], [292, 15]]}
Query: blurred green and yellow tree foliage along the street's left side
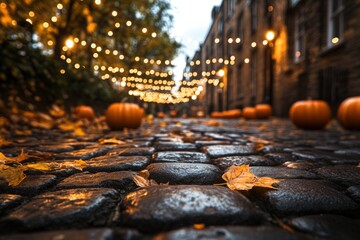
{"points": [[31, 45]]}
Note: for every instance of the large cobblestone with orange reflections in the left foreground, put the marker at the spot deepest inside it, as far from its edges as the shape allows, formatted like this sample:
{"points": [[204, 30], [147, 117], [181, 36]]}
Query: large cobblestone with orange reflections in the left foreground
{"points": [[63, 209]]}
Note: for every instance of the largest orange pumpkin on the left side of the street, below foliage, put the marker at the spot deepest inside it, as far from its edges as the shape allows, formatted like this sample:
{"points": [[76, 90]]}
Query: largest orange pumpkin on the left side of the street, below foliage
{"points": [[124, 115]]}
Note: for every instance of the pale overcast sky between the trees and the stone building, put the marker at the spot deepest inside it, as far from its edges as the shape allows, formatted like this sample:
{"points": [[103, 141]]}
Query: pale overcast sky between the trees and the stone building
{"points": [[192, 19]]}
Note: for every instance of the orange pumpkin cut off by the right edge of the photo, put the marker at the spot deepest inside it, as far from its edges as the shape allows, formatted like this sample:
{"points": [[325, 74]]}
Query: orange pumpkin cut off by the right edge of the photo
{"points": [[349, 113]]}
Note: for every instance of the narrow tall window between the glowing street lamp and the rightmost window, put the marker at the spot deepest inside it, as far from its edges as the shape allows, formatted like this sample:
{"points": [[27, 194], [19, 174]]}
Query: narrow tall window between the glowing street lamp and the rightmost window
{"points": [[299, 52]]}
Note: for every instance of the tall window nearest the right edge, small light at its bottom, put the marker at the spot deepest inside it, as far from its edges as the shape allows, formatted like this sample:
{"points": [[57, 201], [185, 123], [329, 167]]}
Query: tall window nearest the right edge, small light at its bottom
{"points": [[335, 22]]}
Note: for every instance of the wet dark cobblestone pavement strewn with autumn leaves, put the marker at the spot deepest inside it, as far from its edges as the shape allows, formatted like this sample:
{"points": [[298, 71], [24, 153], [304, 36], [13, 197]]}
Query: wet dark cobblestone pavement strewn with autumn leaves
{"points": [[318, 196]]}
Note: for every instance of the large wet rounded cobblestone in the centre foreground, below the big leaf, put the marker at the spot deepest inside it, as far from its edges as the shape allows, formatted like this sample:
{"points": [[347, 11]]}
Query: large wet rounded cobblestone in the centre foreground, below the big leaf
{"points": [[167, 207]]}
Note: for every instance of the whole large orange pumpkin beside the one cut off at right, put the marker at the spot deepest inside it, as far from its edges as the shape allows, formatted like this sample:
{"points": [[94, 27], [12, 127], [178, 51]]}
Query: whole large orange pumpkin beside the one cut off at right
{"points": [[310, 114]]}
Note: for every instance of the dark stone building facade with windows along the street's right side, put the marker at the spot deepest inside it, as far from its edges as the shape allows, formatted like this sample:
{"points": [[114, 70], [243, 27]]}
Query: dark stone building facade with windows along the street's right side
{"points": [[315, 53]]}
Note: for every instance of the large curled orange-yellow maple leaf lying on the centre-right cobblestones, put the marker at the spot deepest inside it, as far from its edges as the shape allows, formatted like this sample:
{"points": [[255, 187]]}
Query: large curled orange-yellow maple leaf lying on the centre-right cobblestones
{"points": [[241, 178]]}
